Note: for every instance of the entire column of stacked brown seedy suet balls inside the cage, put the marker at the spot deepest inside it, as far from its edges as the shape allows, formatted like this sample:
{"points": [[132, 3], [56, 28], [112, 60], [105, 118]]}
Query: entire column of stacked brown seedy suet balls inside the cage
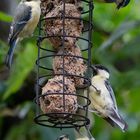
{"points": [[63, 27]]}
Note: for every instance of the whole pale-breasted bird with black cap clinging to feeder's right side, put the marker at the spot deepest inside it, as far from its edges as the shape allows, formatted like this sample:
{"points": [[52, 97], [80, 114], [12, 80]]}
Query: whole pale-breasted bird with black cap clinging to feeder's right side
{"points": [[103, 102]]}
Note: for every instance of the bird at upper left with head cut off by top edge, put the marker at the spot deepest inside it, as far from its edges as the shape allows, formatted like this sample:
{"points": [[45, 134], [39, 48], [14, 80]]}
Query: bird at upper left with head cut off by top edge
{"points": [[25, 21]]}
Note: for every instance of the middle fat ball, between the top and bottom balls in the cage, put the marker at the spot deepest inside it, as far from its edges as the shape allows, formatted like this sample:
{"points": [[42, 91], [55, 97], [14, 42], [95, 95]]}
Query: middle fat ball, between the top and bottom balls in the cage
{"points": [[73, 65]]}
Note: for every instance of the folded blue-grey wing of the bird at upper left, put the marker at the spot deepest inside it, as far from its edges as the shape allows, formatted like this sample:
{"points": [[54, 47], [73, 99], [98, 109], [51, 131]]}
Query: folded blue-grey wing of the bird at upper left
{"points": [[23, 14]]}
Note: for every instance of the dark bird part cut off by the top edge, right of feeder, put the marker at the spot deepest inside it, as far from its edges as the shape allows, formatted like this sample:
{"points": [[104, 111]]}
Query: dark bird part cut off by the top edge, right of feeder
{"points": [[119, 3]]}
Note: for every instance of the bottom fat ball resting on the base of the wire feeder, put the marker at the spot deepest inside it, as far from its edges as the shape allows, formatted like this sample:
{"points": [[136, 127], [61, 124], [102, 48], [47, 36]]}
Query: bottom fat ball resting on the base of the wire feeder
{"points": [[53, 103]]}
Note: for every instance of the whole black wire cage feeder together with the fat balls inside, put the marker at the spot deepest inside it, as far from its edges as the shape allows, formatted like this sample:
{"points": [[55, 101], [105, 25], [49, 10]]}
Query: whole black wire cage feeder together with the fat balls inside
{"points": [[56, 94]]}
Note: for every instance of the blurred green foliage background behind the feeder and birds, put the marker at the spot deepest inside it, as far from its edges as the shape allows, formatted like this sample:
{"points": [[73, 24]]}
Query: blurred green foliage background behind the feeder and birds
{"points": [[116, 39]]}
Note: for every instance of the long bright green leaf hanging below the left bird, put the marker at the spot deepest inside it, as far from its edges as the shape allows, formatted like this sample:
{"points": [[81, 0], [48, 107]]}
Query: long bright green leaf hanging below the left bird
{"points": [[24, 64]]}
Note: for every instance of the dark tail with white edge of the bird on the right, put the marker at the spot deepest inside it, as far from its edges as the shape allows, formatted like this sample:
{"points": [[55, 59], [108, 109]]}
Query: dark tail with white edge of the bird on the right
{"points": [[116, 120]]}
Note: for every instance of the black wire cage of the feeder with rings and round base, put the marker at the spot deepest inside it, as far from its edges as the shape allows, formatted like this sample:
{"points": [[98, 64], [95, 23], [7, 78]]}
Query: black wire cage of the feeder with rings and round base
{"points": [[69, 120]]}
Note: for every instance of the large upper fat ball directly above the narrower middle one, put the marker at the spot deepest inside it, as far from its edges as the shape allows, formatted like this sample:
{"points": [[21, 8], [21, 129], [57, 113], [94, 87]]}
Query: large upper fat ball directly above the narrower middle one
{"points": [[57, 28]]}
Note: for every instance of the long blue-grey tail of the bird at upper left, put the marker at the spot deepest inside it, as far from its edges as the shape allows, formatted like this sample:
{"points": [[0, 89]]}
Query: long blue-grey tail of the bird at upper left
{"points": [[9, 57]]}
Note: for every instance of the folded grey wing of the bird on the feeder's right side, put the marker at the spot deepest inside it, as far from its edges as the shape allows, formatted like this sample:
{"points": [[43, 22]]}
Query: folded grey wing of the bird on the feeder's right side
{"points": [[109, 88]]}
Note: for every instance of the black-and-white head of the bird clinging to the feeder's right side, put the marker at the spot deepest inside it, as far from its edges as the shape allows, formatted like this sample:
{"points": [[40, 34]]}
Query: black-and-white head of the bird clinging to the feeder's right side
{"points": [[101, 70]]}
